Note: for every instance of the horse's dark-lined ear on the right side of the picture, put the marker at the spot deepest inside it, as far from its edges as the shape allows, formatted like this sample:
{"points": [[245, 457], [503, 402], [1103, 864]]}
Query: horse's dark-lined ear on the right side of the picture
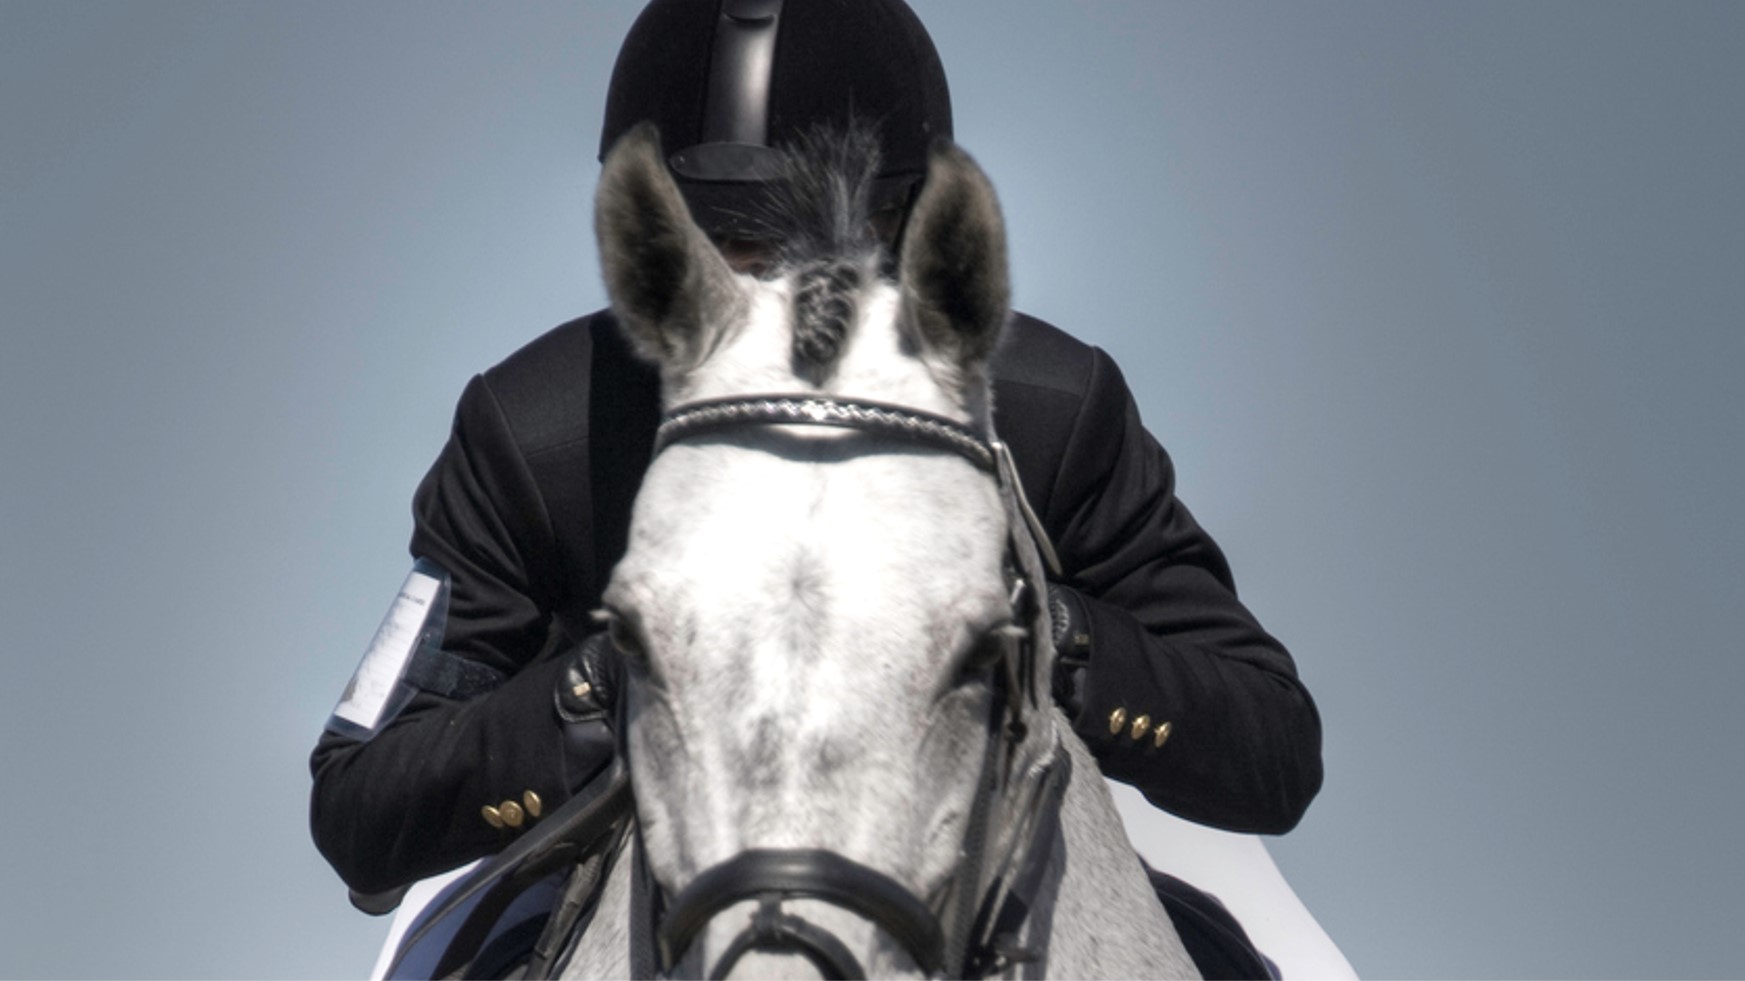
{"points": [[954, 264]]}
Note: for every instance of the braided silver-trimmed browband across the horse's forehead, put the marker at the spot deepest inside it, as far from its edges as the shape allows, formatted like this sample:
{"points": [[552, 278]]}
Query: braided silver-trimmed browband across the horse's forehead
{"points": [[821, 411]]}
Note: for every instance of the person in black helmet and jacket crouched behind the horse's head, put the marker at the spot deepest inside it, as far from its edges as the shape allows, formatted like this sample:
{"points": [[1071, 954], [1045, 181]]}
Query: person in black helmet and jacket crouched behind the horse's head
{"points": [[1167, 676]]}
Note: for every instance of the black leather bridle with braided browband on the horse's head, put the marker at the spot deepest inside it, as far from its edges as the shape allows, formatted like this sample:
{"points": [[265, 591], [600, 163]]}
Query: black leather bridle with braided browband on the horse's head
{"points": [[978, 926]]}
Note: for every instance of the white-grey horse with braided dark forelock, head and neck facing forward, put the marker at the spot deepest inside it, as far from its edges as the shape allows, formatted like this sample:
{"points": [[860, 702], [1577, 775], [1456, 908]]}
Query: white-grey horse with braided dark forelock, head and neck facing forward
{"points": [[837, 717]]}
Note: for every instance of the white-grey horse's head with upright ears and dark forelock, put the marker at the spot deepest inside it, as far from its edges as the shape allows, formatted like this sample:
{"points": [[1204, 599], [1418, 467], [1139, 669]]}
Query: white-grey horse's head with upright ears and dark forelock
{"points": [[814, 617]]}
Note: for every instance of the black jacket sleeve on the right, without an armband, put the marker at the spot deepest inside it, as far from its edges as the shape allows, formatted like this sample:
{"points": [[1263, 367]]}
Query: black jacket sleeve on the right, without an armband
{"points": [[1170, 641]]}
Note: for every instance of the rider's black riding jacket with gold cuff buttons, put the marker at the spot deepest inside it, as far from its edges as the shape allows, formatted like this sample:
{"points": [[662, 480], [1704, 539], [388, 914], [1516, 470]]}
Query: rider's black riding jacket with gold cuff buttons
{"points": [[530, 509]]}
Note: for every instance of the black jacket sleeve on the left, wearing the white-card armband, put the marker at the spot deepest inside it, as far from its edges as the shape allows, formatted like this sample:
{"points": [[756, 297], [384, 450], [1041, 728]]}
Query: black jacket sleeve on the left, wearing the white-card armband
{"points": [[409, 804]]}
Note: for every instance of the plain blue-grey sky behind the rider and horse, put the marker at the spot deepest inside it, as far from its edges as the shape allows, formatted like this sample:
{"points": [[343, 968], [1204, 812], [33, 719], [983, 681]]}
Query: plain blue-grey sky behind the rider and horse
{"points": [[1437, 306]]}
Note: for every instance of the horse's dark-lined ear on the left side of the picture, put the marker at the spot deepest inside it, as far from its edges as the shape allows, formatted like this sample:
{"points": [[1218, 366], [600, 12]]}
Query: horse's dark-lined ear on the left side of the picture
{"points": [[671, 289]]}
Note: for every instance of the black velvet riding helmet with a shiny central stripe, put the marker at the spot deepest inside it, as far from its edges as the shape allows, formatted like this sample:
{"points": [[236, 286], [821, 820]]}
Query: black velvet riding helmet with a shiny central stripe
{"points": [[727, 81]]}
